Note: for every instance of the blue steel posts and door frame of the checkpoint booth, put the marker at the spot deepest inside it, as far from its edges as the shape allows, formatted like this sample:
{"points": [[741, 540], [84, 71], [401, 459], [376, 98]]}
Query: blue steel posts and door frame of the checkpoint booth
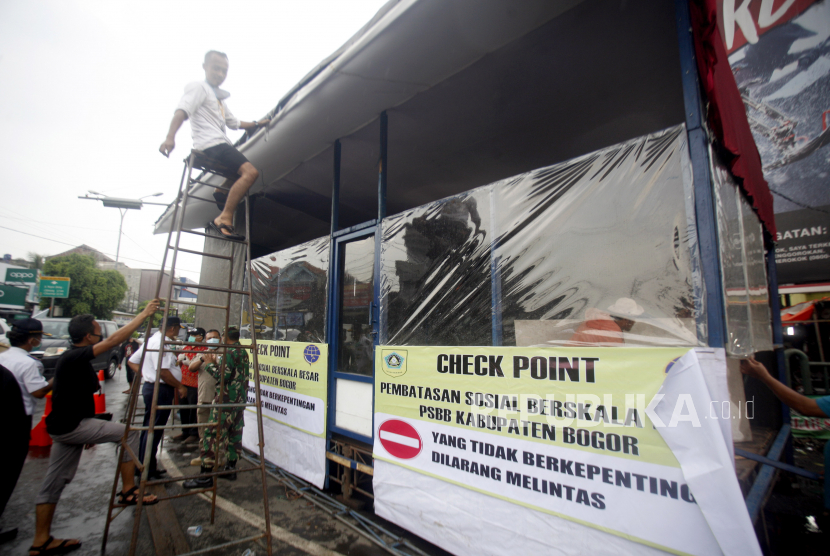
{"points": [[706, 221]]}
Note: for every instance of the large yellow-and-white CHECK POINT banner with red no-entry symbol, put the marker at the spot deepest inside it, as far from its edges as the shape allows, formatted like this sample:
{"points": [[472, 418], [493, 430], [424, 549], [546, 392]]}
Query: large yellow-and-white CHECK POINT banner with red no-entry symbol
{"points": [[551, 446]]}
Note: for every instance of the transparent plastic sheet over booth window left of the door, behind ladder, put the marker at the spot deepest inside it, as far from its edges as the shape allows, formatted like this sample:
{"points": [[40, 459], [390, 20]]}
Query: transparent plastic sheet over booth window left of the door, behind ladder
{"points": [[289, 294]]}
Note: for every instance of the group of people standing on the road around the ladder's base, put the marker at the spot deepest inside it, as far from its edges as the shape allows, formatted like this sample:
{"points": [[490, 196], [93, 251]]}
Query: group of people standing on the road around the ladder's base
{"points": [[189, 374]]}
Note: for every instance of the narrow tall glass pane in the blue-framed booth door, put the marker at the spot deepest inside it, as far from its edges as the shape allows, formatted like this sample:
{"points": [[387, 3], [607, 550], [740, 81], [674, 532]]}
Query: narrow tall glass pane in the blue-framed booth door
{"points": [[356, 342]]}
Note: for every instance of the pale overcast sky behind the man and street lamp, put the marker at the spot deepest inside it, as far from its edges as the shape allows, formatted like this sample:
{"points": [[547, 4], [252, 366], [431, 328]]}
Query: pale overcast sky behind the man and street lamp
{"points": [[88, 91]]}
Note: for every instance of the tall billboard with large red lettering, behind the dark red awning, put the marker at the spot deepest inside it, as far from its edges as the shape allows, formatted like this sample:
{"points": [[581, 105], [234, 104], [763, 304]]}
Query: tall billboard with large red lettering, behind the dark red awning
{"points": [[780, 55]]}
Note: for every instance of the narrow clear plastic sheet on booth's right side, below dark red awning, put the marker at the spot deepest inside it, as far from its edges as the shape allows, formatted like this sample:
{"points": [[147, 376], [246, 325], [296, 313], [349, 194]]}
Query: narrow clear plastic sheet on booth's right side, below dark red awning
{"points": [[743, 269]]}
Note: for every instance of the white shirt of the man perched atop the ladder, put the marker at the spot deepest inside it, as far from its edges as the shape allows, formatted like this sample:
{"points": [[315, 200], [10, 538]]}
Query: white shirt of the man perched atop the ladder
{"points": [[208, 114]]}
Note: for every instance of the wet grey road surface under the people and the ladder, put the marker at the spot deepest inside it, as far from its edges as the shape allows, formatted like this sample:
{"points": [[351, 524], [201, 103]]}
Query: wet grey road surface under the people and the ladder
{"points": [[298, 527]]}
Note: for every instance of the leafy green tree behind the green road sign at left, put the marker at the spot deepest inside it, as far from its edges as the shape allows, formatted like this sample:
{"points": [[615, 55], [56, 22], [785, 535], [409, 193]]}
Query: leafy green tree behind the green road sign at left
{"points": [[91, 290]]}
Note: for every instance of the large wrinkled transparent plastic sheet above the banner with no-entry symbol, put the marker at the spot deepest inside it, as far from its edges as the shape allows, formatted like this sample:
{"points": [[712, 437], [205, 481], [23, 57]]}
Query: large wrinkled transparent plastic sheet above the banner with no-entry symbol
{"points": [[570, 254]]}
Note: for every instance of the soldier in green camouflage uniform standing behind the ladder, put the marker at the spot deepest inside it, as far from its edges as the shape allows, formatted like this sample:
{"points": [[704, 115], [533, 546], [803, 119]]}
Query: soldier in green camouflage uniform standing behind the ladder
{"points": [[237, 368]]}
